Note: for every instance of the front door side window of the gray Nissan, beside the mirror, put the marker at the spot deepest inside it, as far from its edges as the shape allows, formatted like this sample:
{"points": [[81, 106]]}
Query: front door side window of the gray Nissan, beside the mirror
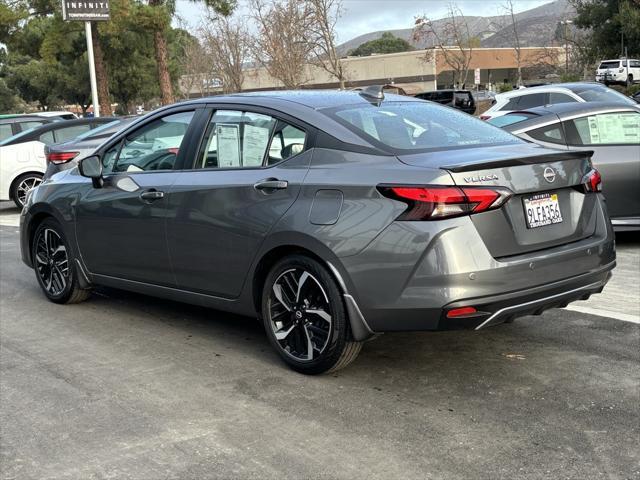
{"points": [[154, 146]]}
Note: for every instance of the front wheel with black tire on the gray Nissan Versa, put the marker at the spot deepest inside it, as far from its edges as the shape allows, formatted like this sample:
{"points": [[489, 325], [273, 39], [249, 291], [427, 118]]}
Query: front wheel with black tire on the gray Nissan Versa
{"points": [[54, 265]]}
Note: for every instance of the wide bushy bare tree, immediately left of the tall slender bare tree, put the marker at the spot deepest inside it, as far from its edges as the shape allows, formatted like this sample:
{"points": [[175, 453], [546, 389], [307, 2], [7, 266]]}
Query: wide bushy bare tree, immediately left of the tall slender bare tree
{"points": [[284, 45]]}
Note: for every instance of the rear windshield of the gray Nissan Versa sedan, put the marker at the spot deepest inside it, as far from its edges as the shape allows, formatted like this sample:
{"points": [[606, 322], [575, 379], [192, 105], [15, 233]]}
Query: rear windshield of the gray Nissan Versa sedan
{"points": [[415, 126]]}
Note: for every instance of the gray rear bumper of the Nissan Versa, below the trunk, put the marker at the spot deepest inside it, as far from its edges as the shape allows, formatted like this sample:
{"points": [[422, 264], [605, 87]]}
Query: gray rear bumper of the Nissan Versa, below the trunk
{"points": [[413, 273]]}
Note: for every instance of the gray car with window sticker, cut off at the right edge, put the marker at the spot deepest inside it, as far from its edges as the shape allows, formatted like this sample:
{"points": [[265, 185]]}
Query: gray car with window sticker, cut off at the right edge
{"points": [[611, 132]]}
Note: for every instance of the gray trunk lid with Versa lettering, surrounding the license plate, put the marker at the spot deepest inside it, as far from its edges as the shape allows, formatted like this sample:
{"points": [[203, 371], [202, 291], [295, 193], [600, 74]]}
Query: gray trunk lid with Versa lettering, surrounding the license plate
{"points": [[534, 174]]}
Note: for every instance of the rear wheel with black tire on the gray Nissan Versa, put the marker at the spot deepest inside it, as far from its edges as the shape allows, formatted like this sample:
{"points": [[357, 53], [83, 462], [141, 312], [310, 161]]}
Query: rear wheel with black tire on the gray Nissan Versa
{"points": [[315, 321]]}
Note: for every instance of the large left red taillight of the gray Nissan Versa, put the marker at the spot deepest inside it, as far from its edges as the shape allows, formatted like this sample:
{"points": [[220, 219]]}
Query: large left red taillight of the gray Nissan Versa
{"points": [[436, 202]]}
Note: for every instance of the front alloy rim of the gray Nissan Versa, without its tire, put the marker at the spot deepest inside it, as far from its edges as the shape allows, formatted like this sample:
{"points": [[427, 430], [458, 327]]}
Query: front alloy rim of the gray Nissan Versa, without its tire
{"points": [[52, 262]]}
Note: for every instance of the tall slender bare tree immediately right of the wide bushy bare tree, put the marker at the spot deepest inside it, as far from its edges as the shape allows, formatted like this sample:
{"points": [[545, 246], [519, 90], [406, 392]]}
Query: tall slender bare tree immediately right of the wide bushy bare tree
{"points": [[322, 28]]}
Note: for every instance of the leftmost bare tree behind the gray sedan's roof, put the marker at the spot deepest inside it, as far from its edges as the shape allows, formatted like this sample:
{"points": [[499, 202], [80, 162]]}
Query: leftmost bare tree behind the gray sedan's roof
{"points": [[227, 45]]}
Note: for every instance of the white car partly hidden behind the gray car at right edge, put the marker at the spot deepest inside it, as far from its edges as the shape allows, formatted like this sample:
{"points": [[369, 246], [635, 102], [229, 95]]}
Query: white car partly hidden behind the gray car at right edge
{"points": [[526, 98]]}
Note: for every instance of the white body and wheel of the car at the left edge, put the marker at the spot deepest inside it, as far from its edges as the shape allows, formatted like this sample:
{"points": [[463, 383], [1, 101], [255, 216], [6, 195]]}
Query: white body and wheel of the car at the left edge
{"points": [[21, 169]]}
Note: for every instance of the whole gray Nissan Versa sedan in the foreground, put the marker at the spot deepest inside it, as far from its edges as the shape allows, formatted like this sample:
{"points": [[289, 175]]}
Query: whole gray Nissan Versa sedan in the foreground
{"points": [[331, 216]]}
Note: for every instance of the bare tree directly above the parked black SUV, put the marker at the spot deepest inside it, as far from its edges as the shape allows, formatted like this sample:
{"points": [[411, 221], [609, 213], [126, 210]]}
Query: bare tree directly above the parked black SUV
{"points": [[452, 38]]}
